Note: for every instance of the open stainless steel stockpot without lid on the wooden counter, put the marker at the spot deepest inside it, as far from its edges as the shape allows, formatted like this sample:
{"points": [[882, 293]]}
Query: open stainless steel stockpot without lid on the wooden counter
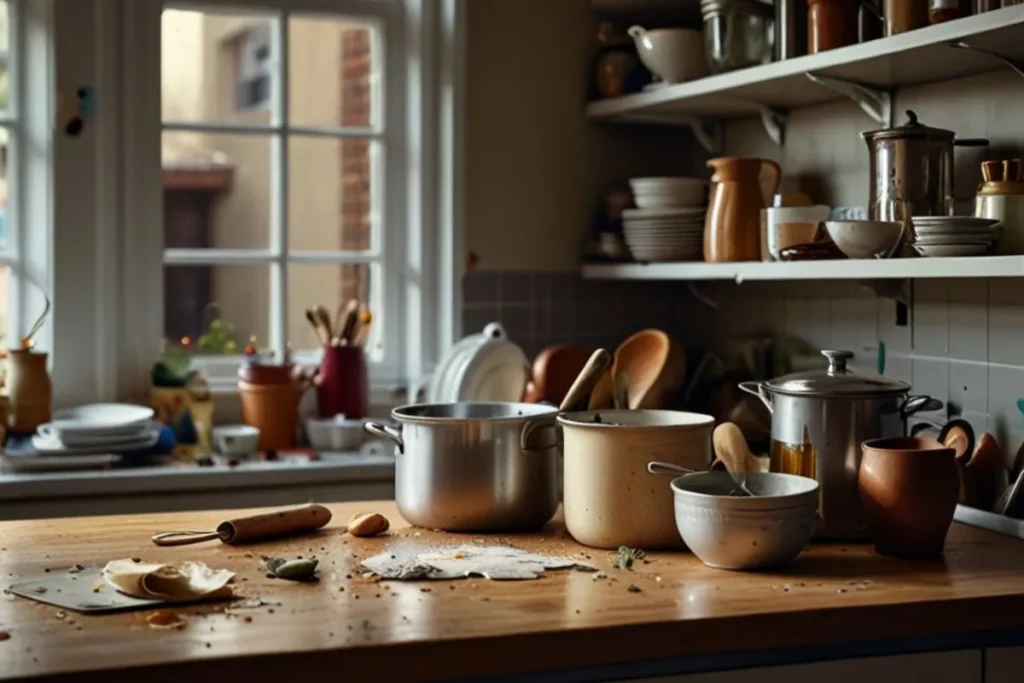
{"points": [[475, 466]]}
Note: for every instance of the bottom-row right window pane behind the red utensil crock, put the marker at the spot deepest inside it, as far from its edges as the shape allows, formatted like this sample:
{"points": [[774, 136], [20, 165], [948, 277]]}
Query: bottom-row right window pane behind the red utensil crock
{"points": [[331, 285]]}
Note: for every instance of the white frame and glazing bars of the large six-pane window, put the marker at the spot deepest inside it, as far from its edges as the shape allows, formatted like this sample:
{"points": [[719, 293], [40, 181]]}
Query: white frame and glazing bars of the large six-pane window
{"points": [[145, 200]]}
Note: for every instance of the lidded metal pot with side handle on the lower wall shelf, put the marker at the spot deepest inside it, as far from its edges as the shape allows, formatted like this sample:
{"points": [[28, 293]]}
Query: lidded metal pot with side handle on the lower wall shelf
{"points": [[913, 163]]}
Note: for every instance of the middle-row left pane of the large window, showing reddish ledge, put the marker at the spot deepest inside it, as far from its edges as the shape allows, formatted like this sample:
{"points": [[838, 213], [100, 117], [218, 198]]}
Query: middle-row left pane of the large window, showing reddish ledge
{"points": [[217, 191]]}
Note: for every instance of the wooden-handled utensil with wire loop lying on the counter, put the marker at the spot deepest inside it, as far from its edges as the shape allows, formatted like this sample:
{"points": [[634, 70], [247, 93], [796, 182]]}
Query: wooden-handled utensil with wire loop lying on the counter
{"points": [[246, 530]]}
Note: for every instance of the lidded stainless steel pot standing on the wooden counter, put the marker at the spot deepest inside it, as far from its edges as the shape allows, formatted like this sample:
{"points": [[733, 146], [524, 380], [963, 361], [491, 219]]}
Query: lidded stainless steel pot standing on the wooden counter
{"points": [[820, 420]]}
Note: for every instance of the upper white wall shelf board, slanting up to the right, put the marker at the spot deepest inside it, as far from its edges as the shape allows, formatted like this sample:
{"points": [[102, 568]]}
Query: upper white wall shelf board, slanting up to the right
{"points": [[910, 59]]}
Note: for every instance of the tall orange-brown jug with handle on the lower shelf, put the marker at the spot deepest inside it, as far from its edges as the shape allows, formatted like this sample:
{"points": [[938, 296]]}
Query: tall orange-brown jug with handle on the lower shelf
{"points": [[733, 228]]}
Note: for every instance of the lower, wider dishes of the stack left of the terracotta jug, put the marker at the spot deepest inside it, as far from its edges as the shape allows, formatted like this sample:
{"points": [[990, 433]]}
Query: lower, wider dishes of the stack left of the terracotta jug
{"points": [[665, 235]]}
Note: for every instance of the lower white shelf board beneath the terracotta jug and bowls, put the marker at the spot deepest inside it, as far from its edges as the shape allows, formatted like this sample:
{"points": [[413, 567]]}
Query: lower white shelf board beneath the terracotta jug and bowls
{"points": [[898, 269]]}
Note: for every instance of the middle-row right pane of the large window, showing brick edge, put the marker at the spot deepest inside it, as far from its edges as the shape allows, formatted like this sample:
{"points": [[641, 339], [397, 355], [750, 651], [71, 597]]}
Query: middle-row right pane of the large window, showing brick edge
{"points": [[329, 194]]}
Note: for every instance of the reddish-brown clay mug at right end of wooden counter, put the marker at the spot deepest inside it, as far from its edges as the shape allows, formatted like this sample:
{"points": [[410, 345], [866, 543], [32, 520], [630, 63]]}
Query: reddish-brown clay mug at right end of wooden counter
{"points": [[909, 490]]}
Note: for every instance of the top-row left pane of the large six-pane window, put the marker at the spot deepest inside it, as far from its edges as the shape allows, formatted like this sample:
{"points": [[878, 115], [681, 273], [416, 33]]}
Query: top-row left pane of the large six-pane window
{"points": [[217, 67]]}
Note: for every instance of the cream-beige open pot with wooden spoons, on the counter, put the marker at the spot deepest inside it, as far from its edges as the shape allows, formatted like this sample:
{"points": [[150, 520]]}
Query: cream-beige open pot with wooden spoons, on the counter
{"points": [[611, 500]]}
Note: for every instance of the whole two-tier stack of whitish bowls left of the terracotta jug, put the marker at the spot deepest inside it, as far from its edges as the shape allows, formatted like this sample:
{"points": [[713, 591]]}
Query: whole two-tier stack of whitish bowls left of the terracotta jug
{"points": [[668, 224]]}
